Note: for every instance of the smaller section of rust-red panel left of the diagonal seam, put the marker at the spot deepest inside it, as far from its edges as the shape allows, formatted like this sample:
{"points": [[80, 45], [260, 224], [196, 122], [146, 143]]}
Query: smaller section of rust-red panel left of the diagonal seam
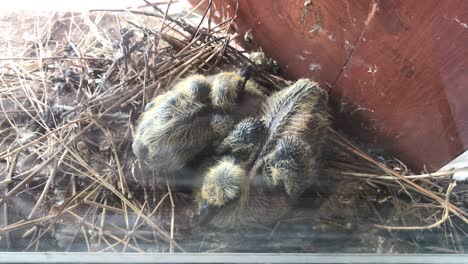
{"points": [[309, 39]]}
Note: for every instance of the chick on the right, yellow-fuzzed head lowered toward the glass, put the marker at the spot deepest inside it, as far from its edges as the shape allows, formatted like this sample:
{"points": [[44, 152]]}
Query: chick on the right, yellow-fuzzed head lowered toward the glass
{"points": [[267, 163]]}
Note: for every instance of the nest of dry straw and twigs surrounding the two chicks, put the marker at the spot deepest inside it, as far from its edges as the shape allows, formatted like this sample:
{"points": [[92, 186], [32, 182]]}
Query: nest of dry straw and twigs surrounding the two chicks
{"points": [[70, 97]]}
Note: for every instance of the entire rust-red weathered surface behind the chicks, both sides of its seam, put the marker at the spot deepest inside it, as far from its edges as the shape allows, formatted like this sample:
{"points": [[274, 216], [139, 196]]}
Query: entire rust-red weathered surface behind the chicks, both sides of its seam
{"points": [[397, 70]]}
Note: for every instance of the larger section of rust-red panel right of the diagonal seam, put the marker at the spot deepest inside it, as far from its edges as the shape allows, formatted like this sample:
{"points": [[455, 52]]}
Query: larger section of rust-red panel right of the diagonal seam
{"points": [[408, 76]]}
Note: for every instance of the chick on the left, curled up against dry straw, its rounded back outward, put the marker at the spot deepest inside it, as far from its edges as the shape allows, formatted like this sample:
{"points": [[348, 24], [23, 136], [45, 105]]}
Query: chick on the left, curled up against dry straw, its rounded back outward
{"points": [[183, 123]]}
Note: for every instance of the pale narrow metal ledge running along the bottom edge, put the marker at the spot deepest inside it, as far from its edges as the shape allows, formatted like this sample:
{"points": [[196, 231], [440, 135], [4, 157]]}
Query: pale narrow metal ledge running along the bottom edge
{"points": [[72, 257]]}
